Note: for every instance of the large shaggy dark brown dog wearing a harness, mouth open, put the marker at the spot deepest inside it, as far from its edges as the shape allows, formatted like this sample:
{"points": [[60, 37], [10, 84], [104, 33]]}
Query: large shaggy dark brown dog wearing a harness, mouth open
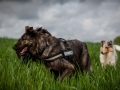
{"points": [[40, 44]]}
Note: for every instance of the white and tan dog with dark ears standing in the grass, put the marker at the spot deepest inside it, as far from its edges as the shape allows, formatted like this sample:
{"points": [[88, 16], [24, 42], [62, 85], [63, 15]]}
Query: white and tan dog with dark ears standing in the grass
{"points": [[108, 55]]}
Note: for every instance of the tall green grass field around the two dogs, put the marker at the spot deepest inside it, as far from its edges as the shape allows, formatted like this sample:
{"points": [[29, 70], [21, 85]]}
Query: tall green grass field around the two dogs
{"points": [[15, 75]]}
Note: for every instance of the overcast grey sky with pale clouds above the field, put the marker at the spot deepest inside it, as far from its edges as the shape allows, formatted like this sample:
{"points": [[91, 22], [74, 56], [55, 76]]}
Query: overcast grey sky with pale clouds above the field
{"points": [[86, 20]]}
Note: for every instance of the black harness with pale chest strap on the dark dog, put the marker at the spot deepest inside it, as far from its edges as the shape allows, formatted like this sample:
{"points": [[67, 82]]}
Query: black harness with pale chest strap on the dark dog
{"points": [[66, 53]]}
